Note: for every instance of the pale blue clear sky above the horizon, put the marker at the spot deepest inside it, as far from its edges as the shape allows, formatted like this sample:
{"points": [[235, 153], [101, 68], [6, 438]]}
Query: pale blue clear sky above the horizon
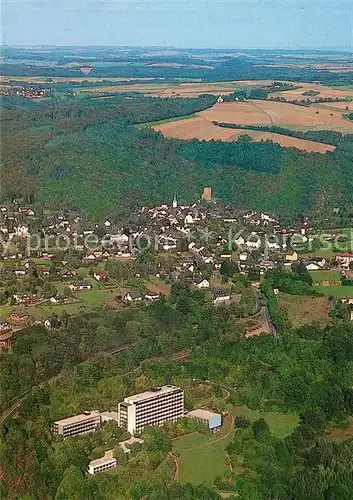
{"points": [[180, 23]]}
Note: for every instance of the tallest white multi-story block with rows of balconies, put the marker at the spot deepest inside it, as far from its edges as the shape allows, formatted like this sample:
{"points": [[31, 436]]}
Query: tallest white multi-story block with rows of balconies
{"points": [[154, 407]]}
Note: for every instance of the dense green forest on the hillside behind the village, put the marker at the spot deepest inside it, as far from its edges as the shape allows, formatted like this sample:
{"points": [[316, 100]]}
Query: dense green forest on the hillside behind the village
{"points": [[88, 155]]}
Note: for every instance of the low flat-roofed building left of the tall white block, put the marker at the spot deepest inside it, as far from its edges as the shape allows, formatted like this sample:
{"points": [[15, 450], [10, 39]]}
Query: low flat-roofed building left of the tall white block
{"points": [[78, 424]]}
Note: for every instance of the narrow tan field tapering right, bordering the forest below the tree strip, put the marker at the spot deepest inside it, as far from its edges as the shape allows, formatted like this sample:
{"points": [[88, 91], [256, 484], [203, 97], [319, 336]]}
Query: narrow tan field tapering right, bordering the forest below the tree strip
{"points": [[199, 128]]}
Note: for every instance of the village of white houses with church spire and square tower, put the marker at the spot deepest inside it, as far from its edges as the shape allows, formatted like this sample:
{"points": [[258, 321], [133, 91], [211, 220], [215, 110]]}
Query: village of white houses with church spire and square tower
{"points": [[48, 259]]}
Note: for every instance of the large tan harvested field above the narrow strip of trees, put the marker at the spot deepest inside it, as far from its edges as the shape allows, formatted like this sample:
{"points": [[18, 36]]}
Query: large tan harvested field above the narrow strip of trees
{"points": [[265, 112]]}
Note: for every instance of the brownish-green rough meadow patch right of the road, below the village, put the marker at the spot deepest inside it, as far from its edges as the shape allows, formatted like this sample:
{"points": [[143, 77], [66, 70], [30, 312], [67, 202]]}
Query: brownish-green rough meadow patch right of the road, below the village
{"points": [[305, 310]]}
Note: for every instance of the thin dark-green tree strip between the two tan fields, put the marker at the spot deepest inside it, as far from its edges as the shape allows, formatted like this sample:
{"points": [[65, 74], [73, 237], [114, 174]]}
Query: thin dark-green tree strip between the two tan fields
{"points": [[324, 136]]}
